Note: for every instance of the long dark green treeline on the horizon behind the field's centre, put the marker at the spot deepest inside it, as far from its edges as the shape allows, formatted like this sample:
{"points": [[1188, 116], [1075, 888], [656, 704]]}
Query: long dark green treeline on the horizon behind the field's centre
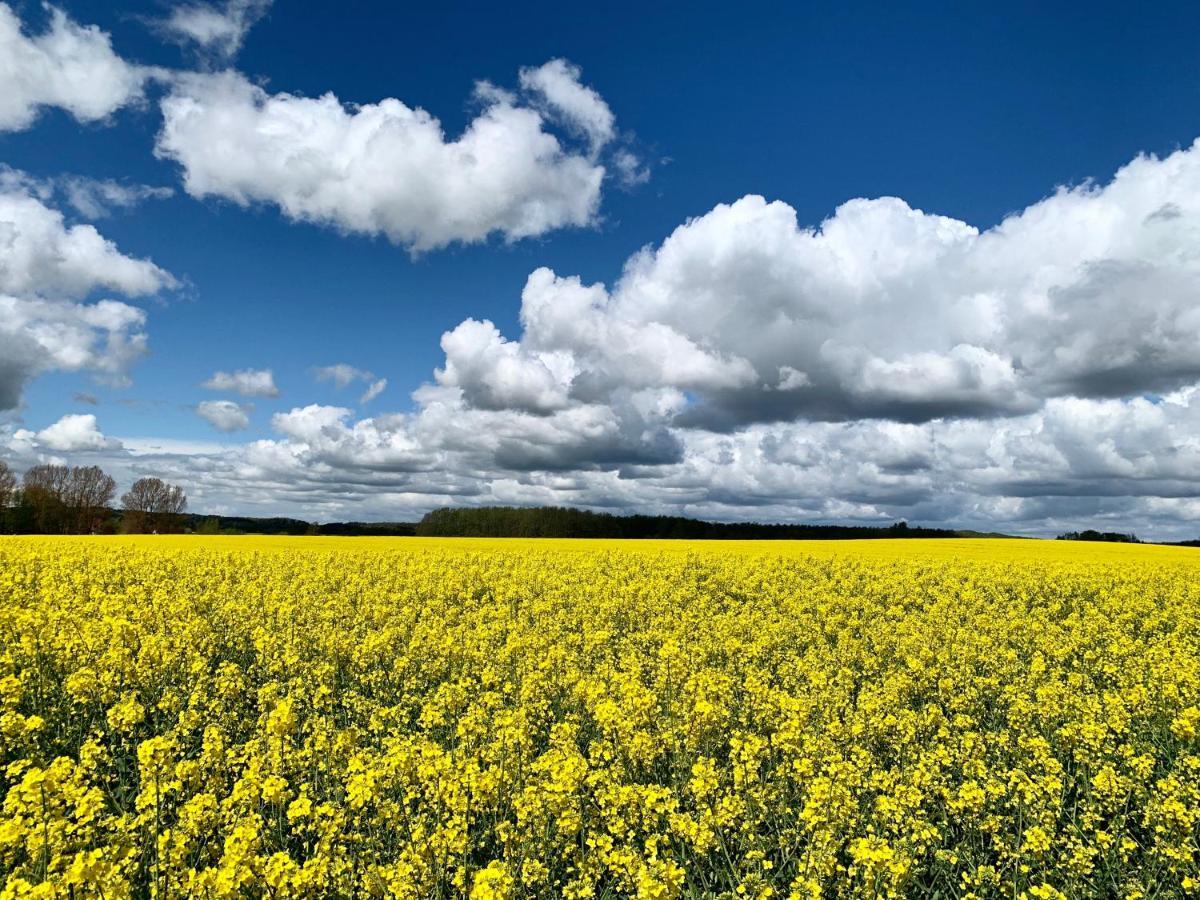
{"points": [[565, 523]]}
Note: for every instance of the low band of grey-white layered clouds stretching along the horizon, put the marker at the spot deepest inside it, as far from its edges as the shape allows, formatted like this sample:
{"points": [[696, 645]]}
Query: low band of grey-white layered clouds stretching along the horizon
{"points": [[1078, 463]]}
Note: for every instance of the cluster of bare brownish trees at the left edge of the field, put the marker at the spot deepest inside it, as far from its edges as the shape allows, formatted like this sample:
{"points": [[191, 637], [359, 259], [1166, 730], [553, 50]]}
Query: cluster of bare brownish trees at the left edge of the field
{"points": [[79, 500]]}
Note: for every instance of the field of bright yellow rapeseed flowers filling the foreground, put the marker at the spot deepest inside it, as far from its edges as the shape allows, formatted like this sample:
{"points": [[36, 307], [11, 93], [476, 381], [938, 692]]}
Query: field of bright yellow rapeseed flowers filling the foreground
{"points": [[319, 718]]}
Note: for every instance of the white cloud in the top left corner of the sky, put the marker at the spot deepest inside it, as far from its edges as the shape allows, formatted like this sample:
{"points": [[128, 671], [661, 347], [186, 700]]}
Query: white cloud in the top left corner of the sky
{"points": [[70, 67]]}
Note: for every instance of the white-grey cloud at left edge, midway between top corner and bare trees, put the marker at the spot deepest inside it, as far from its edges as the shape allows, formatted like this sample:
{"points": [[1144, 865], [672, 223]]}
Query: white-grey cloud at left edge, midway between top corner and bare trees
{"points": [[45, 268]]}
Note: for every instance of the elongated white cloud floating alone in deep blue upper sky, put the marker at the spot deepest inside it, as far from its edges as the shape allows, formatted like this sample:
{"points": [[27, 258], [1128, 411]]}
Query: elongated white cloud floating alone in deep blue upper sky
{"points": [[388, 169]]}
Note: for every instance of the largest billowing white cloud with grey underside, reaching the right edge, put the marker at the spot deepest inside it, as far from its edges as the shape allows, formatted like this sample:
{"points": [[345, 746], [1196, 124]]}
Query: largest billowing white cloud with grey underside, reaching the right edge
{"points": [[883, 311]]}
